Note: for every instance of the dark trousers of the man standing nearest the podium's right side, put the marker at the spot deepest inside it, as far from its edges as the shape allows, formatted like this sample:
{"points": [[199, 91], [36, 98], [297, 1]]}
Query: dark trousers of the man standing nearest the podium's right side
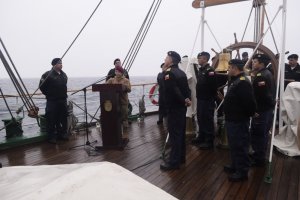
{"points": [[176, 128]]}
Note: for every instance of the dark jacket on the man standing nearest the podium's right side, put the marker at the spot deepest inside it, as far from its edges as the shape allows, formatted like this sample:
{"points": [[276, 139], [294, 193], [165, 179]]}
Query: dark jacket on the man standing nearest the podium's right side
{"points": [[176, 87]]}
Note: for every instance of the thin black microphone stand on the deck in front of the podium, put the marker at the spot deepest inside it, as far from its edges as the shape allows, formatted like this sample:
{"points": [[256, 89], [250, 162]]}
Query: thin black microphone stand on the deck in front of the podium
{"points": [[87, 143]]}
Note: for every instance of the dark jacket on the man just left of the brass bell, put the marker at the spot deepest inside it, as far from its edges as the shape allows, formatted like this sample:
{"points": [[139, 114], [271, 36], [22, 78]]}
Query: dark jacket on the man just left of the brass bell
{"points": [[206, 88]]}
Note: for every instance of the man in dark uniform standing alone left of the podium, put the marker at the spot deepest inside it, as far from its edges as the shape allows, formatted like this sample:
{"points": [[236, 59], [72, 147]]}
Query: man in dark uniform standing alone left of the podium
{"points": [[53, 85]]}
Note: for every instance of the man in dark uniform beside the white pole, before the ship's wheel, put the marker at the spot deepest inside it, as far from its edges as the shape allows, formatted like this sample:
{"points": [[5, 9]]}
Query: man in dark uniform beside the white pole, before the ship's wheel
{"points": [[264, 91]]}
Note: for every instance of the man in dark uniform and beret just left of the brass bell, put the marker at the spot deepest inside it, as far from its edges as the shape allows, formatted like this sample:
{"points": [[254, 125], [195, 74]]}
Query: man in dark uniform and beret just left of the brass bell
{"points": [[206, 90]]}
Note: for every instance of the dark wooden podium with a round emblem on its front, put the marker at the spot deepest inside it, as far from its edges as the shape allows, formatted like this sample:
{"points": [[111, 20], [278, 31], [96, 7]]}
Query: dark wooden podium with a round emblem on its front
{"points": [[110, 118]]}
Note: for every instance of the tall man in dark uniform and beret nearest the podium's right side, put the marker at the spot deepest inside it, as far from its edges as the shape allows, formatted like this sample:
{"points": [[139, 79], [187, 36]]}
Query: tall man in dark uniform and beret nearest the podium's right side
{"points": [[177, 96]]}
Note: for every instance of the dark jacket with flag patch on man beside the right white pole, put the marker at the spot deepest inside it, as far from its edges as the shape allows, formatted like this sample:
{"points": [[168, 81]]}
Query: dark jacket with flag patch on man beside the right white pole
{"points": [[264, 90]]}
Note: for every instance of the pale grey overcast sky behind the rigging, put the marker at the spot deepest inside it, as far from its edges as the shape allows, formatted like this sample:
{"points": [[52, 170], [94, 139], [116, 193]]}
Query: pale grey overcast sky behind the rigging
{"points": [[36, 31]]}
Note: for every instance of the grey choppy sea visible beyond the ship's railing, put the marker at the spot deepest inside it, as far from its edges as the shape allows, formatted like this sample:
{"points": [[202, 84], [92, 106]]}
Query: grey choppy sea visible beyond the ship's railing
{"points": [[140, 86]]}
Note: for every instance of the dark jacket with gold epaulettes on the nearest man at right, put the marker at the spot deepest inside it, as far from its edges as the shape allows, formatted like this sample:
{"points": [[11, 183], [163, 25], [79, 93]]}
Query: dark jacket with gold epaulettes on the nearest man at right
{"points": [[239, 102]]}
